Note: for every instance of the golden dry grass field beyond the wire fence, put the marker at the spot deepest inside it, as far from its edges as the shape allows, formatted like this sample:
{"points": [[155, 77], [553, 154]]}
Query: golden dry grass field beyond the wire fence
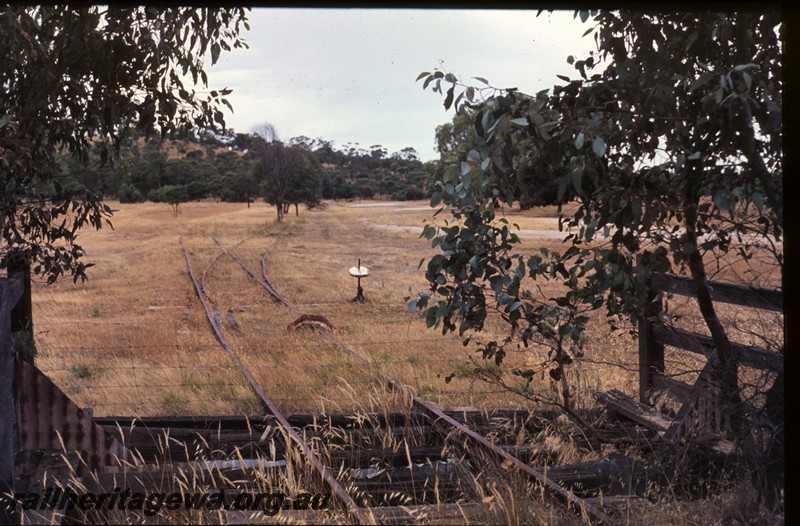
{"points": [[134, 338]]}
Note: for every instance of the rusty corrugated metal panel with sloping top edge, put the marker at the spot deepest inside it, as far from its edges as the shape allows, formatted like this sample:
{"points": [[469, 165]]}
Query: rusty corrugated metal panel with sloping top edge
{"points": [[44, 413]]}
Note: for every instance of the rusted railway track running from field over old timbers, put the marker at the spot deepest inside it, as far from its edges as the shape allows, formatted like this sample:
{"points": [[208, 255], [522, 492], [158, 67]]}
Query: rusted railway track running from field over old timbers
{"points": [[458, 437]]}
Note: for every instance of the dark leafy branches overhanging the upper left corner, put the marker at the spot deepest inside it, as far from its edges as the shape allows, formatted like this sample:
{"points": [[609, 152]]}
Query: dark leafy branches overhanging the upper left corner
{"points": [[71, 75]]}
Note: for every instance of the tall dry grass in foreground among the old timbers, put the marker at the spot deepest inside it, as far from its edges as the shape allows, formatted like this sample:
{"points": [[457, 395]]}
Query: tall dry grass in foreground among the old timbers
{"points": [[507, 497]]}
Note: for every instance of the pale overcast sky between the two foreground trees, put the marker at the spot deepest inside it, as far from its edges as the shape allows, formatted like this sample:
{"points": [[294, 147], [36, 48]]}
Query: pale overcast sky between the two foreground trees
{"points": [[348, 75]]}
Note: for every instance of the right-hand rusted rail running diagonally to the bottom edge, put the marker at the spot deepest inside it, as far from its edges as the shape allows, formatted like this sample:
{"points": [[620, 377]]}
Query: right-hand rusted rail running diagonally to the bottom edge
{"points": [[438, 416]]}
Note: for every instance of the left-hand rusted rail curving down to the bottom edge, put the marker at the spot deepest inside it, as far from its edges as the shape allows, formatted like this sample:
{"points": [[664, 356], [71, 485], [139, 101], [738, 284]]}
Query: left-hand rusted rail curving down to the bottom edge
{"points": [[341, 494]]}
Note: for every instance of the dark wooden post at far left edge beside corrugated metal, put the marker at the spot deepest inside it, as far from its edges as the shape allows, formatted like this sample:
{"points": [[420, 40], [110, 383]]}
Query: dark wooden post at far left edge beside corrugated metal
{"points": [[11, 289]]}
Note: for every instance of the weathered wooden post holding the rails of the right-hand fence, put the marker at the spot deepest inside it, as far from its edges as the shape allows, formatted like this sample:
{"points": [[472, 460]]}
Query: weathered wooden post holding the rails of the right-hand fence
{"points": [[651, 353]]}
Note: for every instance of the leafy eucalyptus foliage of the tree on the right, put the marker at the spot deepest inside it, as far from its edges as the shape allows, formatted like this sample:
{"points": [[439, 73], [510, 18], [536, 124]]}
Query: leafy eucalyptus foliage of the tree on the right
{"points": [[666, 145]]}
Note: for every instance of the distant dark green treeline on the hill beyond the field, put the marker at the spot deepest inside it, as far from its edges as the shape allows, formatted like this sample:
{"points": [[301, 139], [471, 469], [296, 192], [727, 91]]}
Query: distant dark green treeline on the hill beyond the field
{"points": [[230, 167]]}
